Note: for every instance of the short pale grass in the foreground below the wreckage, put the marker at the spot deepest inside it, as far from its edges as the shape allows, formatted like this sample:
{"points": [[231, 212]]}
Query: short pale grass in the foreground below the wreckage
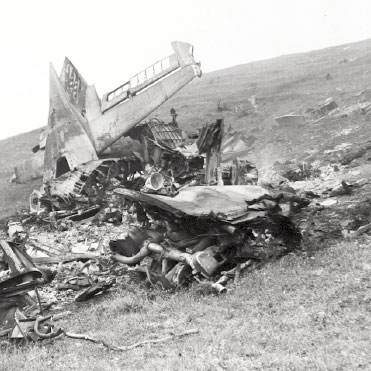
{"points": [[299, 313]]}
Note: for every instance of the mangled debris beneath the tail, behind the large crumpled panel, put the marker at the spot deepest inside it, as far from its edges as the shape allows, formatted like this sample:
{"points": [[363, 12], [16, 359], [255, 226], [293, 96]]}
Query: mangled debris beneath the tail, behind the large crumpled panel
{"points": [[165, 166]]}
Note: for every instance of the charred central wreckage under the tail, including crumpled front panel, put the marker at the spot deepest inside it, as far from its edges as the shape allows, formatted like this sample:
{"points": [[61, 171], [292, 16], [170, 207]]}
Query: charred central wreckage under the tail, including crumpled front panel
{"points": [[187, 225]]}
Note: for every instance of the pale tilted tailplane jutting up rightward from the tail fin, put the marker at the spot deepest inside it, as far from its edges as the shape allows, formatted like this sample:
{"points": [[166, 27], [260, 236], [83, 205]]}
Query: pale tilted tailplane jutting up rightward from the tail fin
{"points": [[130, 103]]}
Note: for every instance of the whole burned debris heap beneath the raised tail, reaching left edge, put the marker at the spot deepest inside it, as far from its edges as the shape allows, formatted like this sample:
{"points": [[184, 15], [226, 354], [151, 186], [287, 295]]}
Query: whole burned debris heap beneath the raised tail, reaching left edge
{"points": [[179, 212]]}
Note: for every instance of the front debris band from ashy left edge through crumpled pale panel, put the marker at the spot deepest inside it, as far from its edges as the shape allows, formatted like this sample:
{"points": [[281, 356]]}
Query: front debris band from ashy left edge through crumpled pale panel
{"points": [[205, 234]]}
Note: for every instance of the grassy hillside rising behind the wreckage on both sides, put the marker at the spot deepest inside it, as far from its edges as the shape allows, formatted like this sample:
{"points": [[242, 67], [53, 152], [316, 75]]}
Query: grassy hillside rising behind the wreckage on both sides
{"points": [[248, 97]]}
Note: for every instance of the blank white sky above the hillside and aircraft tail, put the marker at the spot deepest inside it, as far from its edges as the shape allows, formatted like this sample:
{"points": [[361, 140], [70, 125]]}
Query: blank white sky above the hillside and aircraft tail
{"points": [[109, 41]]}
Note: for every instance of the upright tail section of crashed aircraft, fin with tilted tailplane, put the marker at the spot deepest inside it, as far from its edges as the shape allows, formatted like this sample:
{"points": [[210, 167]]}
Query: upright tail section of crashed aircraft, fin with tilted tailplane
{"points": [[81, 126]]}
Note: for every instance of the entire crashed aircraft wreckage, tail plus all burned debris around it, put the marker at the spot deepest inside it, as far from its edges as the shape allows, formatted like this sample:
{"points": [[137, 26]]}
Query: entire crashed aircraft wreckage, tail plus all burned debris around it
{"points": [[175, 210]]}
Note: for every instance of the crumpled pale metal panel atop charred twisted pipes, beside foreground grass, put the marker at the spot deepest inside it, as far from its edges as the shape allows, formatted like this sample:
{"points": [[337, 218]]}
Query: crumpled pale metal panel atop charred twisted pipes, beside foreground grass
{"points": [[203, 230]]}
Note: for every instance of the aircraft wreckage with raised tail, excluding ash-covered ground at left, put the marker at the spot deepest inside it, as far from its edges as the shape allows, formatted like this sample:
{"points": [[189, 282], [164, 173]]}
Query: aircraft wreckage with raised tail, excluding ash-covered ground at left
{"points": [[196, 213]]}
